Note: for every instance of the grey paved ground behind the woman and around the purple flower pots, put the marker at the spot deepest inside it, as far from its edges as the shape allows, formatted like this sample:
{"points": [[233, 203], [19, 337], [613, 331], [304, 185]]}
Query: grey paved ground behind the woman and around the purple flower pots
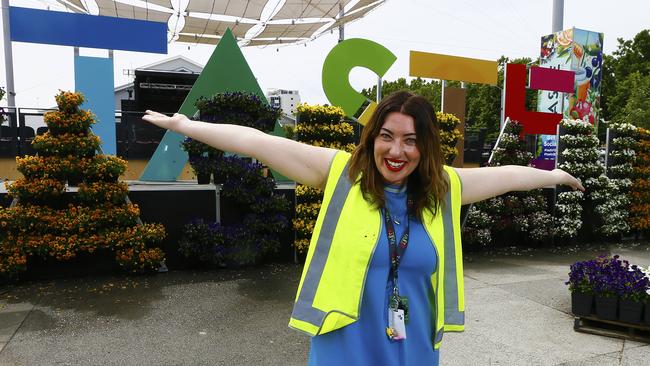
{"points": [[517, 314]]}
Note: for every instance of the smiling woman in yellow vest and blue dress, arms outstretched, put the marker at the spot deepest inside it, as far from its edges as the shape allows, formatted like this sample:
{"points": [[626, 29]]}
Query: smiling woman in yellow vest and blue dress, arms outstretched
{"points": [[383, 277]]}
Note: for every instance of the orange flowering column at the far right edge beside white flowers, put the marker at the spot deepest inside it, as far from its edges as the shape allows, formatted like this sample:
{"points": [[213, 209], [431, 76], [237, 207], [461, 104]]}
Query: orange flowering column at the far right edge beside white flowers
{"points": [[639, 218]]}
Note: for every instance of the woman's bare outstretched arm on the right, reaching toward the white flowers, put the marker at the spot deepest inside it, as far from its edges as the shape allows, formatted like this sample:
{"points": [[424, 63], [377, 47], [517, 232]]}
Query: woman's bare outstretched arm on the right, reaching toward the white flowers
{"points": [[483, 183]]}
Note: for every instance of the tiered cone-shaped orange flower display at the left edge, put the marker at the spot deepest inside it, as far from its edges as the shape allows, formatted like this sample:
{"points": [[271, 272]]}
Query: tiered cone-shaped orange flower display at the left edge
{"points": [[38, 226]]}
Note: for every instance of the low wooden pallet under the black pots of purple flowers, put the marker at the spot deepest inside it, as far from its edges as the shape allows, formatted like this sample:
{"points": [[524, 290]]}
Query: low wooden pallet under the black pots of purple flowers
{"points": [[615, 329]]}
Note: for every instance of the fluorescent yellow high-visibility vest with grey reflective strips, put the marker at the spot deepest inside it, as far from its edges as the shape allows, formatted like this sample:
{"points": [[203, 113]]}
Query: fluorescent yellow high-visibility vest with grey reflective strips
{"points": [[345, 236]]}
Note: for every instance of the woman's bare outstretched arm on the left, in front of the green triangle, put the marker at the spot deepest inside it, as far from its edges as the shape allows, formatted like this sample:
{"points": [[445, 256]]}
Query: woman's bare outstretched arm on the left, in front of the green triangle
{"points": [[303, 163]]}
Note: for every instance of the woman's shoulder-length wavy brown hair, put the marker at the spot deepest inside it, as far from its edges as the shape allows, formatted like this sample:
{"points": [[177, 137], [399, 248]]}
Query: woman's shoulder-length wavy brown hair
{"points": [[428, 183]]}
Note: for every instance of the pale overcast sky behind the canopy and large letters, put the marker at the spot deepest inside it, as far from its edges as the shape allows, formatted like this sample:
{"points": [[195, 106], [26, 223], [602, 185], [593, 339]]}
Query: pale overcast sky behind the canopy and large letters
{"points": [[478, 29]]}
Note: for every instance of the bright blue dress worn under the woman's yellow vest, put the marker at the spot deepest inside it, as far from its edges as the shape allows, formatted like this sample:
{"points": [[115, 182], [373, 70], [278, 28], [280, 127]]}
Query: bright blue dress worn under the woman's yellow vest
{"points": [[365, 342]]}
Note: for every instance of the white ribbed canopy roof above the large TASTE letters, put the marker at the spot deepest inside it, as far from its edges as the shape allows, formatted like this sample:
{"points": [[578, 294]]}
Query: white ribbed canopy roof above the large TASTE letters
{"points": [[253, 22]]}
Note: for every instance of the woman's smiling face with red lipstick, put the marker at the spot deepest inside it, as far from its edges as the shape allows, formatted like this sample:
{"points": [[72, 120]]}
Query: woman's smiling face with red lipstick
{"points": [[396, 152]]}
